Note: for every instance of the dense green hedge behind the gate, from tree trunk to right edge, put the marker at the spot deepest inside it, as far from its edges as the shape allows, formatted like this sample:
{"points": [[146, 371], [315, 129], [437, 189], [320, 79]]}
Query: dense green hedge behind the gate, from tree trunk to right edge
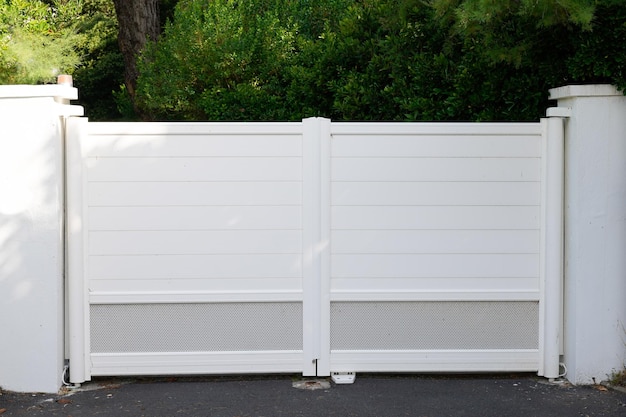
{"points": [[377, 59]]}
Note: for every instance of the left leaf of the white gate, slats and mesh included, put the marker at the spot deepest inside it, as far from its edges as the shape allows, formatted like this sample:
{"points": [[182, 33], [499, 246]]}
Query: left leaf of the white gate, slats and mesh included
{"points": [[192, 241]]}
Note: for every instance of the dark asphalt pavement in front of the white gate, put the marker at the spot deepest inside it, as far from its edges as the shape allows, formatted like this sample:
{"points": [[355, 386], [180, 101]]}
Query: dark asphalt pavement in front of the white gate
{"points": [[370, 395]]}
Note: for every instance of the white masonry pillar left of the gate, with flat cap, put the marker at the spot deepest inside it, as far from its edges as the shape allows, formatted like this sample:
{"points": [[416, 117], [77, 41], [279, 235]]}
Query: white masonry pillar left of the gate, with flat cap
{"points": [[32, 236]]}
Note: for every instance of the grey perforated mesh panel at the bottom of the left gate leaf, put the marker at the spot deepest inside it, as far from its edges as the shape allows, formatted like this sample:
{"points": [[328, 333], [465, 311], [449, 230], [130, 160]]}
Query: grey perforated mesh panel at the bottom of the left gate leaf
{"points": [[196, 327]]}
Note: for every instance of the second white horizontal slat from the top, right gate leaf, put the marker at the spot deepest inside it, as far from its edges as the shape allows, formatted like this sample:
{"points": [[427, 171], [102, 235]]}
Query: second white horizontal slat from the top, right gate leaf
{"points": [[436, 169]]}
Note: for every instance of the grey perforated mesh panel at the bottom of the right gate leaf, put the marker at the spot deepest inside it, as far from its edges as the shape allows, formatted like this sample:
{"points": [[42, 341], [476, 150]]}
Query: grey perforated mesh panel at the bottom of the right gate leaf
{"points": [[434, 325]]}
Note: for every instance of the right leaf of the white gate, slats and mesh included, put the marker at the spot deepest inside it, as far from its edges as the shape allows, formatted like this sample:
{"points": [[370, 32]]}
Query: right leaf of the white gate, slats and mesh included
{"points": [[435, 254]]}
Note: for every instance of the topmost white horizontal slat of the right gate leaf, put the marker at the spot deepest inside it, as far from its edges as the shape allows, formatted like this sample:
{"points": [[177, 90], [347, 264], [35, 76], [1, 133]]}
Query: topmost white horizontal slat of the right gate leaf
{"points": [[438, 146]]}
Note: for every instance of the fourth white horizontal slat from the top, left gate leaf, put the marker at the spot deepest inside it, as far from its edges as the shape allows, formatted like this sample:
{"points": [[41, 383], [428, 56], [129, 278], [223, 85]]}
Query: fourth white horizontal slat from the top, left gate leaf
{"points": [[195, 218]]}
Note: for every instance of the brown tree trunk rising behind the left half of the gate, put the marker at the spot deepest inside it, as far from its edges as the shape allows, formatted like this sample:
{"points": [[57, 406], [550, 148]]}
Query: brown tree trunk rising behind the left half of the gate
{"points": [[138, 22]]}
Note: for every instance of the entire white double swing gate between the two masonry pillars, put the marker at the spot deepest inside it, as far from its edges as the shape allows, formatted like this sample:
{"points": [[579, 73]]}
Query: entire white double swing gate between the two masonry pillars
{"points": [[313, 247]]}
